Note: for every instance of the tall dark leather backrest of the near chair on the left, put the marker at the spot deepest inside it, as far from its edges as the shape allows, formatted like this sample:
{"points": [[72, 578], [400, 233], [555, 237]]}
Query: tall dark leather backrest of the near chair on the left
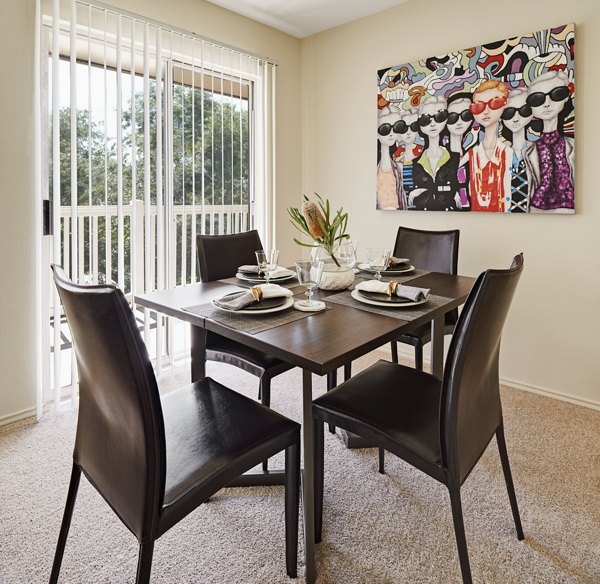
{"points": [[120, 439]]}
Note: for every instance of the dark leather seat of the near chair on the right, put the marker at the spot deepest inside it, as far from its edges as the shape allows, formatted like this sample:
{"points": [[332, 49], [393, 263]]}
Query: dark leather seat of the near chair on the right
{"points": [[396, 405]]}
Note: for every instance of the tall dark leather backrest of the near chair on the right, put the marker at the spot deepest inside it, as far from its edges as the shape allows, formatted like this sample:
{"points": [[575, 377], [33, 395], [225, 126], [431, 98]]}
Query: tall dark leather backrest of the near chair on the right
{"points": [[471, 409]]}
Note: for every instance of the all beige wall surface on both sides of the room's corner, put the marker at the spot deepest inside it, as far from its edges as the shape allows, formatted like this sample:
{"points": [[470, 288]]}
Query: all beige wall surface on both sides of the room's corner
{"points": [[327, 82]]}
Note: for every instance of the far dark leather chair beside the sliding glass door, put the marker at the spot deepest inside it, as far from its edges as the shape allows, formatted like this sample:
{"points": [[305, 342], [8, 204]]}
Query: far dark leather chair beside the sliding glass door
{"points": [[219, 257]]}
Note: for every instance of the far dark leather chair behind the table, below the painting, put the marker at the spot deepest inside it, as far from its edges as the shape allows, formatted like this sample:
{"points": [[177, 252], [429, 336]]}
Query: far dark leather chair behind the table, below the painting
{"points": [[435, 251]]}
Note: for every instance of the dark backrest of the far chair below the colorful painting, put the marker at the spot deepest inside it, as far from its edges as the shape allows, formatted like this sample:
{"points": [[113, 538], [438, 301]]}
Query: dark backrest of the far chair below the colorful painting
{"points": [[436, 251]]}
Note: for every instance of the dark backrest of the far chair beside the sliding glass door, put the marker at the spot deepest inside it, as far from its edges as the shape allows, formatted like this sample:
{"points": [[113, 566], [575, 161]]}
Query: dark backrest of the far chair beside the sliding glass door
{"points": [[219, 256]]}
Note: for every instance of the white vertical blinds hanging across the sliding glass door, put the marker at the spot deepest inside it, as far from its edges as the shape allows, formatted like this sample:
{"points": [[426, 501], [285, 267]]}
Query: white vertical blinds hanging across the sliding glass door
{"points": [[148, 135]]}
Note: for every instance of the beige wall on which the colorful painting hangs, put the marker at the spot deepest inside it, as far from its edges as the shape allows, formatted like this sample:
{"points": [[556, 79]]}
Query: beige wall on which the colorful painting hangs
{"points": [[551, 342]]}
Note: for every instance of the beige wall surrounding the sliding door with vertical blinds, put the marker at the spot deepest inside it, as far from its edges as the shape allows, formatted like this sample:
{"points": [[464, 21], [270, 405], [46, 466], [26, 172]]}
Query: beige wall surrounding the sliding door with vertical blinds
{"points": [[17, 224]]}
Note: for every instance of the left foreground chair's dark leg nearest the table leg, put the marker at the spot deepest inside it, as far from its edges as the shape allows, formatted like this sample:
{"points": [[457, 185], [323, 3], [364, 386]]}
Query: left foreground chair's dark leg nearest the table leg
{"points": [[292, 506]]}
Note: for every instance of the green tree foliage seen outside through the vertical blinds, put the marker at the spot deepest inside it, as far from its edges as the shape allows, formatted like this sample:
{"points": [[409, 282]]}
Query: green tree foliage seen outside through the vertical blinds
{"points": [[211, 164]]}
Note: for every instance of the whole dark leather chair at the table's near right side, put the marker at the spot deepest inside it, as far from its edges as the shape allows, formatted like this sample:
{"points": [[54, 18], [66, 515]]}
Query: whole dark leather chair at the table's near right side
{"points": [[441, 427]]}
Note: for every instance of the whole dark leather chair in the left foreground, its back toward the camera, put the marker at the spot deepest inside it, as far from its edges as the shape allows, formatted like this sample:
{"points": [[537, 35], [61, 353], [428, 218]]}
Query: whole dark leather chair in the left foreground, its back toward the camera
{"points": [[156, 459]]}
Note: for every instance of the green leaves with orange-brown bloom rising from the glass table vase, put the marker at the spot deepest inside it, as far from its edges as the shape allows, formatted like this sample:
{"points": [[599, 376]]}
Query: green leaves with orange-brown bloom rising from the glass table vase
{"points": [[316, 221]]}
